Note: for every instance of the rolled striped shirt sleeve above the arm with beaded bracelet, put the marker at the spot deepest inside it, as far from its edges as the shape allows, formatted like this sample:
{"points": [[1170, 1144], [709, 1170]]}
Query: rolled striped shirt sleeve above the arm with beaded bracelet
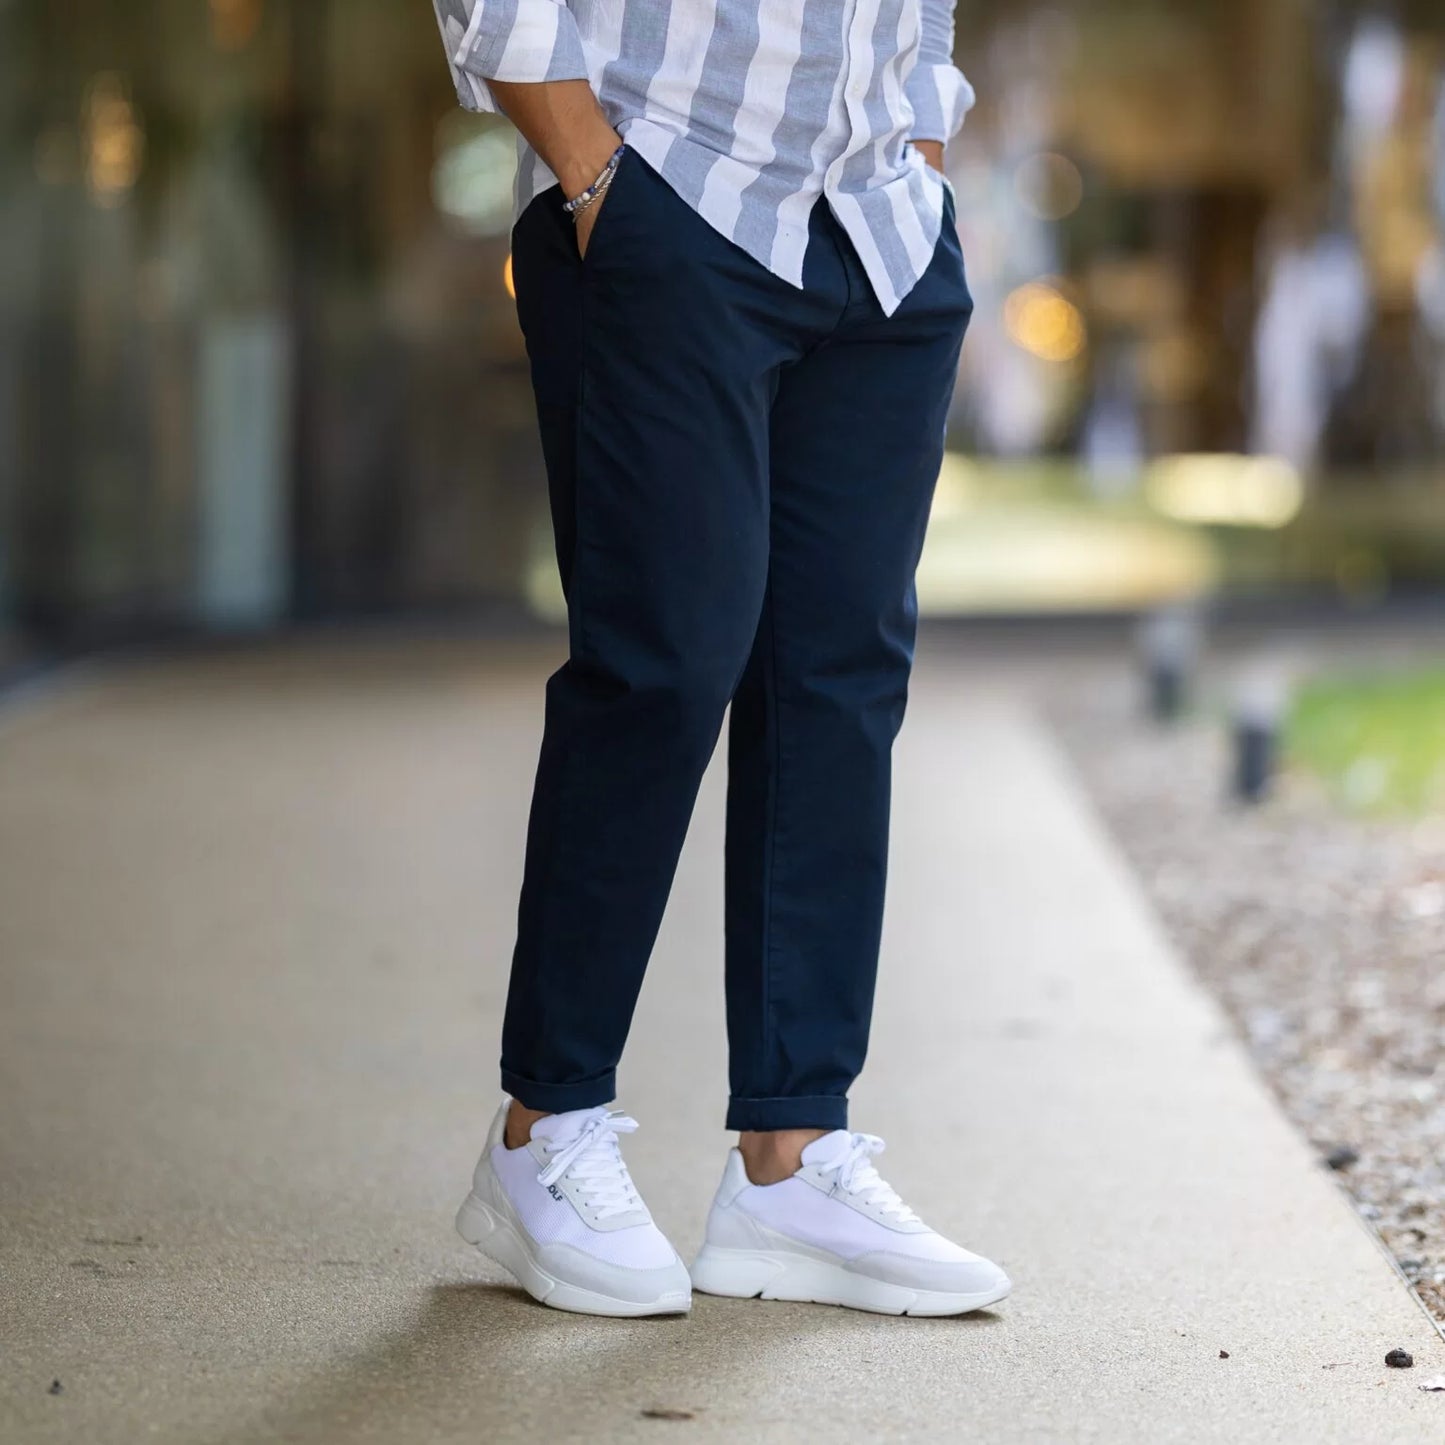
{"points": [[527, 41]]}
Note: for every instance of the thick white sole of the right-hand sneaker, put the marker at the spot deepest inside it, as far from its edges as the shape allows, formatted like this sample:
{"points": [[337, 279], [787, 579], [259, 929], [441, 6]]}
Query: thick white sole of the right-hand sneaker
{"points": [[777, 1275]]}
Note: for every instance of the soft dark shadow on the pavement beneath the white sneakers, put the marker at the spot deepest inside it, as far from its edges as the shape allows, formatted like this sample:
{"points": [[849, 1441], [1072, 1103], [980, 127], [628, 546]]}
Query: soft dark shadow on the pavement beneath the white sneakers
{"points": [[489, 1363]]}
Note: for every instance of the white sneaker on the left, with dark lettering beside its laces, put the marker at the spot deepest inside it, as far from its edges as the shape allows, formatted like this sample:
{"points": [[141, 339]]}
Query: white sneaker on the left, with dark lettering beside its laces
{"points": [[563, 1215]]}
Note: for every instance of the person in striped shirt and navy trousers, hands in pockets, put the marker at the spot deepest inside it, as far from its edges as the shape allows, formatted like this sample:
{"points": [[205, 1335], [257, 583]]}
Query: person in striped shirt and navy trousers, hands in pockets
{"points": [[739, 278]]}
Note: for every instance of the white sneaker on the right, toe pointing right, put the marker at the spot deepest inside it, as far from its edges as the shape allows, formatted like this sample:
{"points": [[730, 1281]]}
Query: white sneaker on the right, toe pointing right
{"points": [[837, 1235]]}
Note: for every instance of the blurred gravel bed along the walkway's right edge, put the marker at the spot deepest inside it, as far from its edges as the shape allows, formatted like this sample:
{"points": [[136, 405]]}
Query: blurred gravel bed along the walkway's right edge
{"points": [[1323, 936]]}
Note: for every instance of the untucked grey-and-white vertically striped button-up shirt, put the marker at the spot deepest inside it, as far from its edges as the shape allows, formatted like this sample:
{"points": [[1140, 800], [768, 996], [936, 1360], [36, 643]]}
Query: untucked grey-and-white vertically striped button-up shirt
{"points": [[749, 109]]}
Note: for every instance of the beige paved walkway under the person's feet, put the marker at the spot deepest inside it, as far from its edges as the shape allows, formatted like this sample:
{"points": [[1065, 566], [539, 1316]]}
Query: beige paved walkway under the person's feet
{"points": [[254, 915]]}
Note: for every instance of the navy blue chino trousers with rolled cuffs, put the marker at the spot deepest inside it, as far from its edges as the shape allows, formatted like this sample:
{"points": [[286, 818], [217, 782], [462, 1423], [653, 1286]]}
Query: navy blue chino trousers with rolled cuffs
{"points": [[741, 473]]}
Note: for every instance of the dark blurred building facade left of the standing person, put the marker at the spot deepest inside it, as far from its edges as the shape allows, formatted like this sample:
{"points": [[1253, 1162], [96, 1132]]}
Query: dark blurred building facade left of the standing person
{"points": [[251, 366]]}
